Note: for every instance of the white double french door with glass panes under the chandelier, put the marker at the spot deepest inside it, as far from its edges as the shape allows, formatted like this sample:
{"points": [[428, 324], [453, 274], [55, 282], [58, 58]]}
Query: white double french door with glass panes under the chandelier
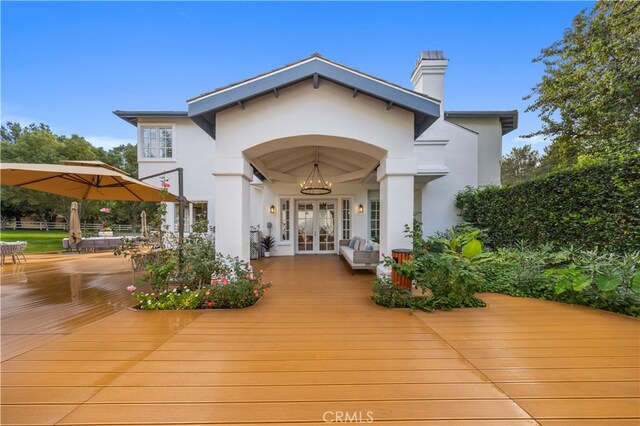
{"points": [[316, 226]]}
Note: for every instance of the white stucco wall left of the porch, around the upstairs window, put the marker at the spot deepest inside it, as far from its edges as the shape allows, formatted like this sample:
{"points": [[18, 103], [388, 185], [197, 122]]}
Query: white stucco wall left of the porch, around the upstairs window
{"points": [[193, 150]]}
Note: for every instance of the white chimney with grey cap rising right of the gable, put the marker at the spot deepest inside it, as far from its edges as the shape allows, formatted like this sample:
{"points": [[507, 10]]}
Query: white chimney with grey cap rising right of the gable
{"points": [[428, 75]]}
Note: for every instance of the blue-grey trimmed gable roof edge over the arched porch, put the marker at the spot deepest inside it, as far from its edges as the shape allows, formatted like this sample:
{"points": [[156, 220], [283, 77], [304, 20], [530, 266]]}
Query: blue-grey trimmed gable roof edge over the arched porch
{"points": [[203, 108]]}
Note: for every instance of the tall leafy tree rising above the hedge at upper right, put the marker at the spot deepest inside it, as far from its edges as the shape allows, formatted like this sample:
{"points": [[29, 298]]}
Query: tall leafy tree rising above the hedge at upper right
{"points": [[589, 96]]}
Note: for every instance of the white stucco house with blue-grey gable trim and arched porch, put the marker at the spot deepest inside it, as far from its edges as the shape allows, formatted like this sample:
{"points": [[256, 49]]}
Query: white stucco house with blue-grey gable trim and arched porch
{"points": [[388, 154]]}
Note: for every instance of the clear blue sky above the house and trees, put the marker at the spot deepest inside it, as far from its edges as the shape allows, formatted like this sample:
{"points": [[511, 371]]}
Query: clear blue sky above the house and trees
{"points": [[70, 64]]}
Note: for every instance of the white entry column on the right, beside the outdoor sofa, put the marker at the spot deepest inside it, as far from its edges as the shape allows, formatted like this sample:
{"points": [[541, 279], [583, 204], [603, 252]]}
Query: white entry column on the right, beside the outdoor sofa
{"points": [[396, 176]]}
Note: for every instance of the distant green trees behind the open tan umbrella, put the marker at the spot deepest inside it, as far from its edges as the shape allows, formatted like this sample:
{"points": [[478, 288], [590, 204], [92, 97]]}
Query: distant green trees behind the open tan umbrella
{"points": [[38, 144]]}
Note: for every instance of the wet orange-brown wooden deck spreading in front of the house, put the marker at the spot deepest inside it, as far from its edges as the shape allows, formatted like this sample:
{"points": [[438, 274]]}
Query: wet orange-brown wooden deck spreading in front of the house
{"points": [[315, 348]]}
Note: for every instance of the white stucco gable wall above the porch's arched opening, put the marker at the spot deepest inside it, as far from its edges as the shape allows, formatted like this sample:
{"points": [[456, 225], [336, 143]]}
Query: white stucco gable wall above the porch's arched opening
{"points": [[330, 110]]}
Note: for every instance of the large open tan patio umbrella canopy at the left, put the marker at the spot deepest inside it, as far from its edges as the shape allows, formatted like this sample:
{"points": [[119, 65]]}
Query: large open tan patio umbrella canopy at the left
{"points": [[85, 180]]}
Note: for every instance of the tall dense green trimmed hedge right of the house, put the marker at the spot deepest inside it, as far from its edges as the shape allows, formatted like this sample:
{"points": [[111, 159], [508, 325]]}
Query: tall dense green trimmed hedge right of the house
{"points": [[593, 206]]}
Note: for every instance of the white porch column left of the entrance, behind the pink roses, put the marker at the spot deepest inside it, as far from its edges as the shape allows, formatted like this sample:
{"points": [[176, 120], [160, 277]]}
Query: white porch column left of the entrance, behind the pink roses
{"points": [[232, 210]]}
